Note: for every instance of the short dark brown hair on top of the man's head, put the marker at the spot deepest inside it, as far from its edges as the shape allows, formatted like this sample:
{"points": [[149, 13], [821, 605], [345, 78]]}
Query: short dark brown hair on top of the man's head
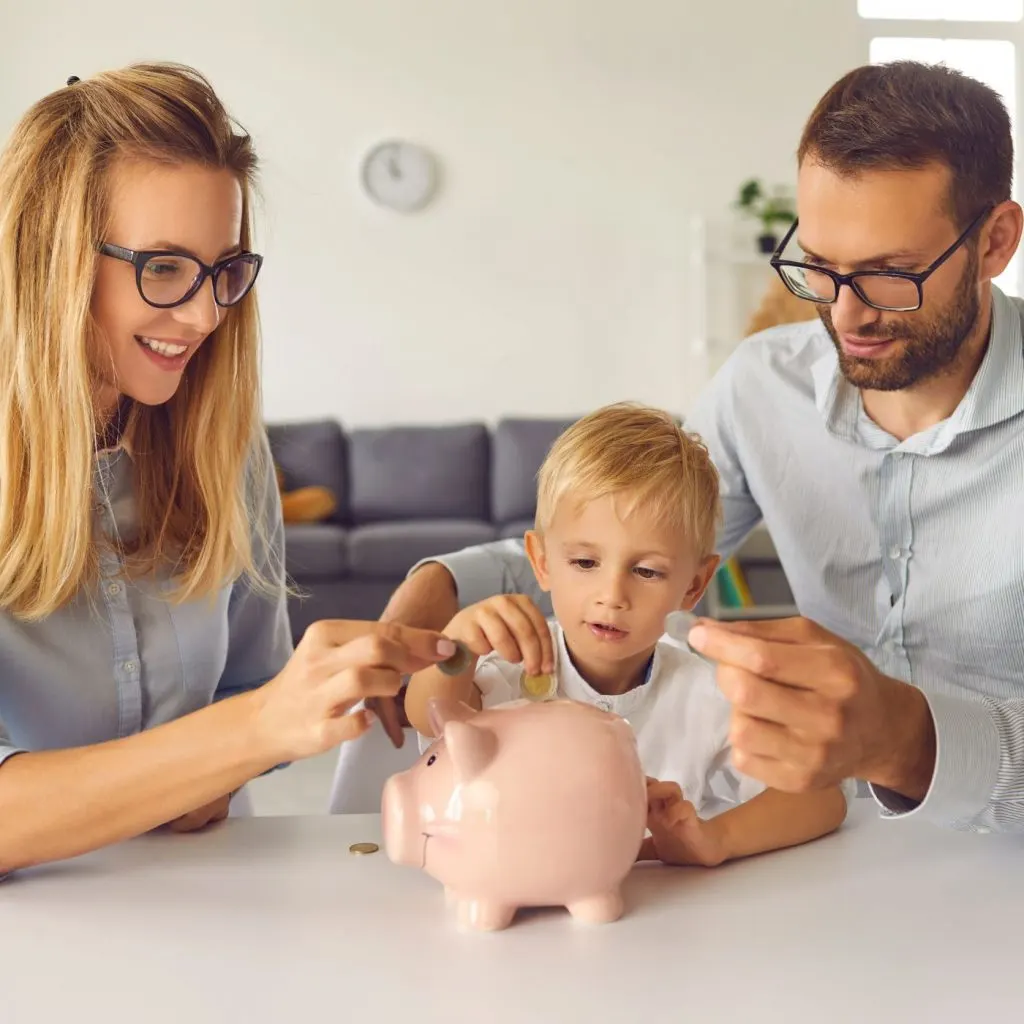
{"points": [[909, 115]]}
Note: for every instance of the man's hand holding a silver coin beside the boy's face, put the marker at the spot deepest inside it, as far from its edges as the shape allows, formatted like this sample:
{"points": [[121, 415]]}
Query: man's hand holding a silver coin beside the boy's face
{"points": [[810, 710]]}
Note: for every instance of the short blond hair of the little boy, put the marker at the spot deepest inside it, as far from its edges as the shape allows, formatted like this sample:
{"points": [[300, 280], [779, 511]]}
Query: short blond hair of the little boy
{"points": [[642, 457]]}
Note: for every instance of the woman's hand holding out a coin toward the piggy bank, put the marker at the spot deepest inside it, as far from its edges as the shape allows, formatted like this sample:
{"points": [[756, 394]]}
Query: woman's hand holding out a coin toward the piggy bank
{"points": [[309, 707]]}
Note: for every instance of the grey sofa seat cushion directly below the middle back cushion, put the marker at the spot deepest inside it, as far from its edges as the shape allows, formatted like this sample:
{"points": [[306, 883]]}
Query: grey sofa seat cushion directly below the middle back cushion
{"points": [[390, 550]]}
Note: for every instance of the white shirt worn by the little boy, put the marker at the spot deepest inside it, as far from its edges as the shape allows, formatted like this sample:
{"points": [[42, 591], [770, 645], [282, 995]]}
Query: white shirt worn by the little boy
{"points": [[679, 716]]}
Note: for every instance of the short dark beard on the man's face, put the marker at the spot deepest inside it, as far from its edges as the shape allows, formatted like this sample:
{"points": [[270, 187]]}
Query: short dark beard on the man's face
{"points": [[930, 345]]}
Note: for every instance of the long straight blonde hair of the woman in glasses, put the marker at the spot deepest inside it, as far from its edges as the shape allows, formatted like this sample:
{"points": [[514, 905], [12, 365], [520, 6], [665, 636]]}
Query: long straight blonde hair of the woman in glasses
{"points": [[194, 461]]}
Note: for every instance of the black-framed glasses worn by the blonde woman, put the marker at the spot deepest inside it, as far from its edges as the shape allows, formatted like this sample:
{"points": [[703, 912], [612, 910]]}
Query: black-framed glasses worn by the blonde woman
{"points": [[168, 279]]}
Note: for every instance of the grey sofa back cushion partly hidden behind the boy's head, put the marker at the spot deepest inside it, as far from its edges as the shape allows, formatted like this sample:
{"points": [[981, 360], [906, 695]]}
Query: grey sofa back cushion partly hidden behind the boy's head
{"points": [[520, 448]]}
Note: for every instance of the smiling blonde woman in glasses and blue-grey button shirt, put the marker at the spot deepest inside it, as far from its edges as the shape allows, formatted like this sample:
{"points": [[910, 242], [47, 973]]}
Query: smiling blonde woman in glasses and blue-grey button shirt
{"points": [[146, 665]]}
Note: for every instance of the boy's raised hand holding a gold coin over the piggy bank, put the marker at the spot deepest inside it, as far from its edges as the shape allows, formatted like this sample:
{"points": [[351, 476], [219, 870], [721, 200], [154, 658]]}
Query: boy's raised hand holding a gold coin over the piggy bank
{"points": [[509, 624]]}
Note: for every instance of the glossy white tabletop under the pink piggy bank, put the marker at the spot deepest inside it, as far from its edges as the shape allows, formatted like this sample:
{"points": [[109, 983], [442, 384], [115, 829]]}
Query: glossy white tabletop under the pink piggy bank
{"points": [[267, 920]]}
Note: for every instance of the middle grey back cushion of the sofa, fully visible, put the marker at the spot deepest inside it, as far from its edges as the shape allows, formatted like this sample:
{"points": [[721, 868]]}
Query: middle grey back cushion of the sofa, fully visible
{"points": [[433, 473]]}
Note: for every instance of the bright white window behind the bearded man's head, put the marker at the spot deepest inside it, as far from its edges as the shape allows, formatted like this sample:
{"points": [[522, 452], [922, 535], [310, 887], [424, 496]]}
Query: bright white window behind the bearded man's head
{"points": [[991, 61]]}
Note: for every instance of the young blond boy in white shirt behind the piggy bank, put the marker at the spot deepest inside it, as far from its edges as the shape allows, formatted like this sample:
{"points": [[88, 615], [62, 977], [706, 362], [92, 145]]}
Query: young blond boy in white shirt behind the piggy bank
{"points": [[626, 516]]}
